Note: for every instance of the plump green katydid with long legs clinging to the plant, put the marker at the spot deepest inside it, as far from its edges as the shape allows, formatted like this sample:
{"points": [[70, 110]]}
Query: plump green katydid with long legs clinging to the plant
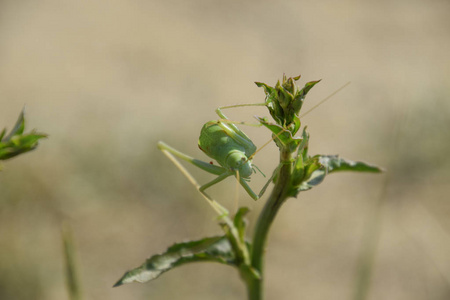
{"points": [[233, 150]]}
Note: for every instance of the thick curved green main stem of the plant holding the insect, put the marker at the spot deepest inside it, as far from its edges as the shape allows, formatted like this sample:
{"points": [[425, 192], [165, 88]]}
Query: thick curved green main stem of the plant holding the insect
{"points": [[270, 210]]}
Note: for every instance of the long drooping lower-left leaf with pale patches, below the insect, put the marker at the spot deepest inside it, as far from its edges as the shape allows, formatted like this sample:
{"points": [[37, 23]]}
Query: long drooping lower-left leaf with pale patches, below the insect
{"points": [[213, 249]]}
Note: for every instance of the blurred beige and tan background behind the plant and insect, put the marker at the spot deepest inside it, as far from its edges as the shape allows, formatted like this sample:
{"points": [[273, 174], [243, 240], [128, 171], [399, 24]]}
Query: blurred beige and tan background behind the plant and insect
{"points": [[108, 79]]}
